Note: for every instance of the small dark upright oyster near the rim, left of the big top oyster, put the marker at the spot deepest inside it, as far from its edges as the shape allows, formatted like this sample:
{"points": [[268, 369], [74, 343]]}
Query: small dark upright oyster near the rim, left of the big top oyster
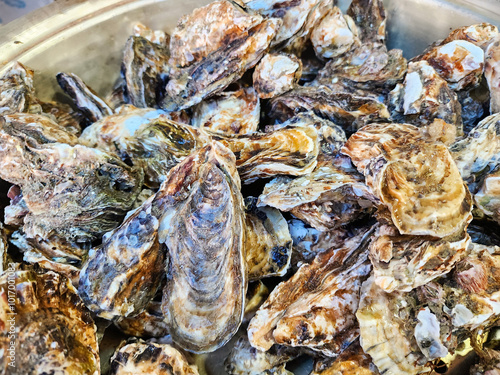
{"points": [[146, 70]]}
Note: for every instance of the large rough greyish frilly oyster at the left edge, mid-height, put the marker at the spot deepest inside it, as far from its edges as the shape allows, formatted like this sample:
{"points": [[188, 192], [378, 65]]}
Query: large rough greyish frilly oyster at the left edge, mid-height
{"points": [[73, 191]]}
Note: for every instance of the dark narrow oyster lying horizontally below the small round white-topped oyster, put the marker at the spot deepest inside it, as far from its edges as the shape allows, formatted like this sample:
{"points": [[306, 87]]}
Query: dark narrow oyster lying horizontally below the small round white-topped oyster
{"points": [[347, 110]]}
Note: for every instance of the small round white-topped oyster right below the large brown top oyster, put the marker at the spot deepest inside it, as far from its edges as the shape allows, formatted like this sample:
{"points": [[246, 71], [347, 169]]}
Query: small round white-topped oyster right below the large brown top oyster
{"points": [[276, 74]]}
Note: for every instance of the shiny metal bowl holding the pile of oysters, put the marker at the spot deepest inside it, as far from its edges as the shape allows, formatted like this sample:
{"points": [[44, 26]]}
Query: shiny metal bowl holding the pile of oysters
{"points": [[86, 37]]}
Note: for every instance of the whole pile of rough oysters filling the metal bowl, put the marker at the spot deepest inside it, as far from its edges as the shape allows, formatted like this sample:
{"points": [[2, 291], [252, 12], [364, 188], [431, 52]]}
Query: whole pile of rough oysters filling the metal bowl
{"points": [[269, 180]]}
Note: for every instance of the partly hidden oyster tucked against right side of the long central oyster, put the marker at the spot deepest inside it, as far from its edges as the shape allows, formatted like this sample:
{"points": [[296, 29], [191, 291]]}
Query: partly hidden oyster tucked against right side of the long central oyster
{"points": [[268, 243]]}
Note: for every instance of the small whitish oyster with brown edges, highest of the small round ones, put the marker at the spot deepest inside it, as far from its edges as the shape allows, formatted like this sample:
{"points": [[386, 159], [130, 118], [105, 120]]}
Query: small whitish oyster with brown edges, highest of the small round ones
{"points": [[334, 35]]}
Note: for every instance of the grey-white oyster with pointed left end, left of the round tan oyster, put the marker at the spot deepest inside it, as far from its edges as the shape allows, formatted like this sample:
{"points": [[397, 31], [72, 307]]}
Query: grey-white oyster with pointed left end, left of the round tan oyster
{"points": [[326, 198]]}
